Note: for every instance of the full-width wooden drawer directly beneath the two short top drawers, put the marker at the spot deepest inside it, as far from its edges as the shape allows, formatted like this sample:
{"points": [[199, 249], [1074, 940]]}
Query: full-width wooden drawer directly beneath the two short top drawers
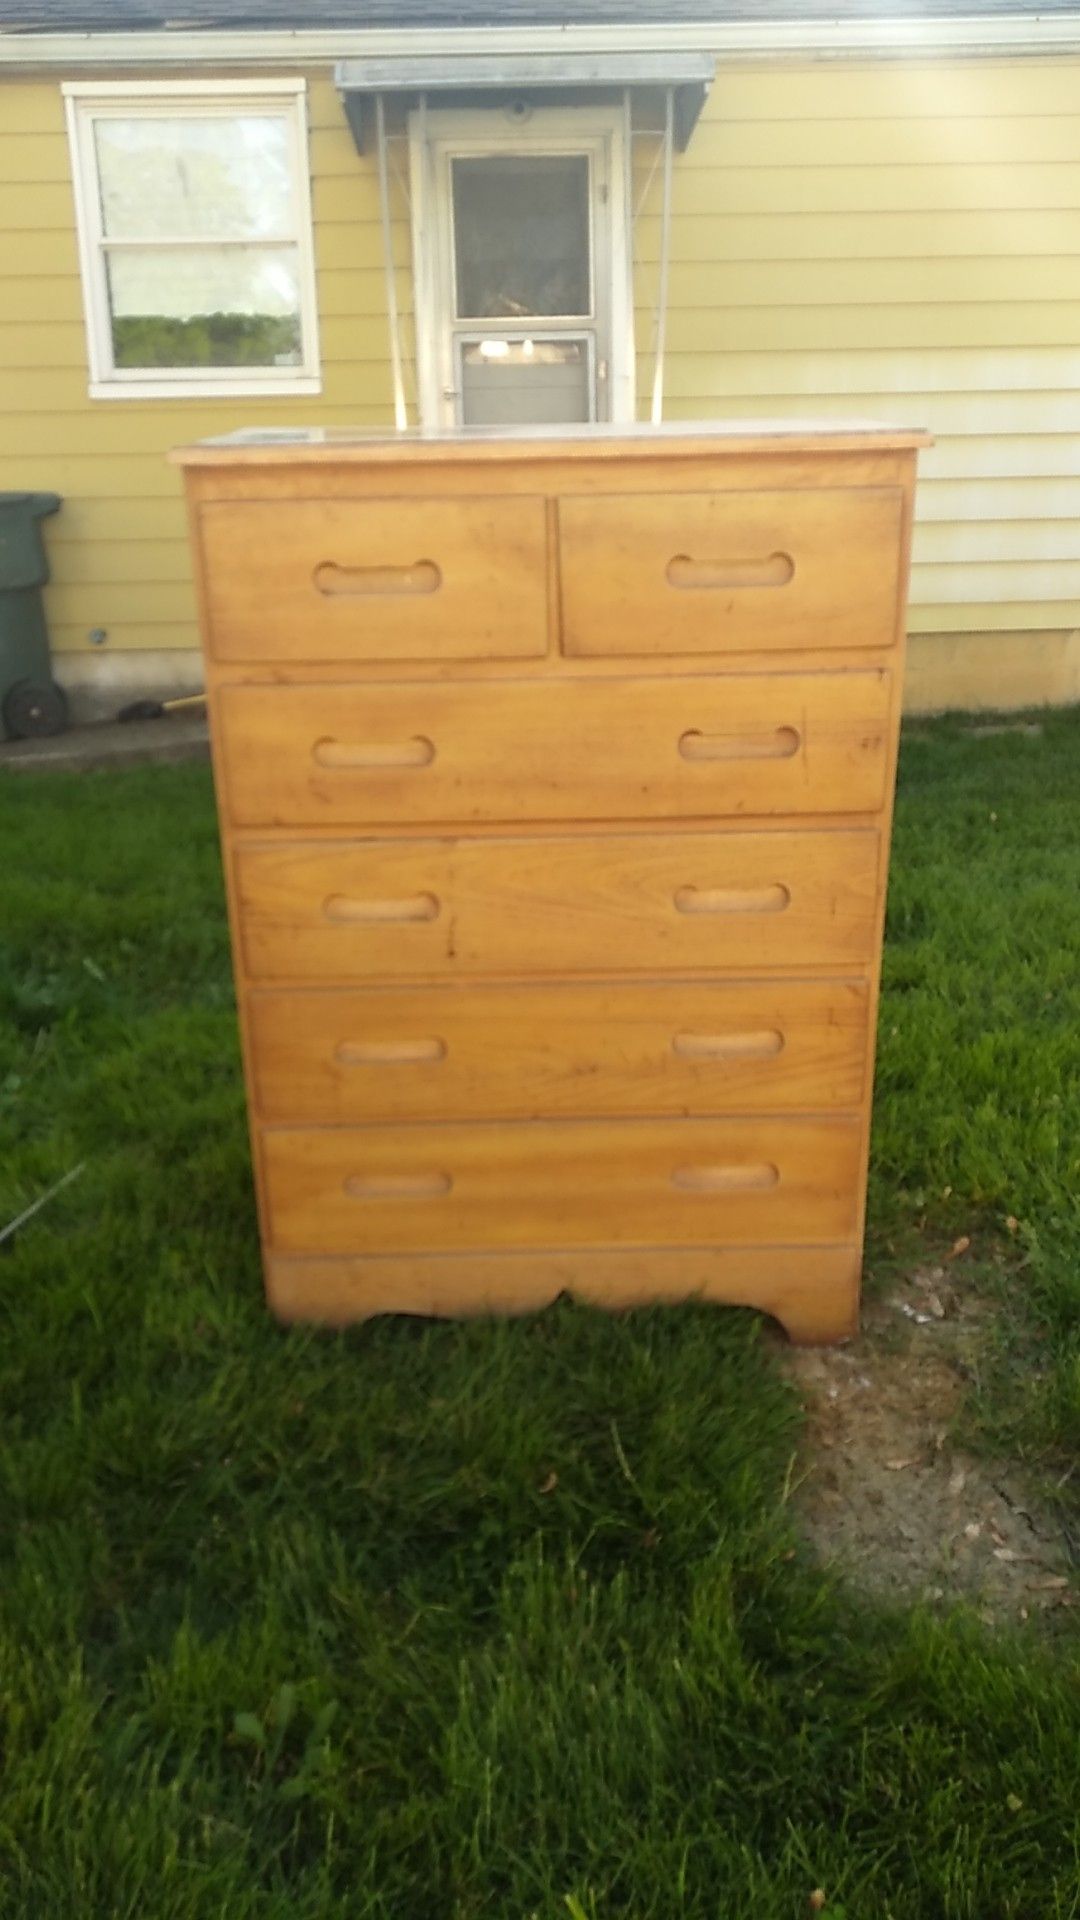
{"points": [[585, 750]]}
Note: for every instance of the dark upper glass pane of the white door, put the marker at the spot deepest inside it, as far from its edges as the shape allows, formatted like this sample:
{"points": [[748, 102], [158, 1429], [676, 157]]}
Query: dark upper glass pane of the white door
{"points": [[522, 235]]}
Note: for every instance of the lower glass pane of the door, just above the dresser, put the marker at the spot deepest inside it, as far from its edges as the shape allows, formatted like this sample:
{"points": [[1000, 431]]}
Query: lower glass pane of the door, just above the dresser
{"points": [[524, 383]]}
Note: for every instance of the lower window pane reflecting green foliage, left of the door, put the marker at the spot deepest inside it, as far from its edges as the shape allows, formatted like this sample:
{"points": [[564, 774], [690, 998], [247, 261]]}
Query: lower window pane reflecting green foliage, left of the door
{"points": [[205, 308]]}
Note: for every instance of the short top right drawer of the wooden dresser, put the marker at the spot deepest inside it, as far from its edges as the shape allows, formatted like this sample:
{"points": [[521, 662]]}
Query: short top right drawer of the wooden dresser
{"points": [[731, 573]]}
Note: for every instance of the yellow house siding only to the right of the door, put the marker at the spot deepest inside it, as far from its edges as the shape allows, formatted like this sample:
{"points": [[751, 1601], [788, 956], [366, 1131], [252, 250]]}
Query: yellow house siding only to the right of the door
{"points": [[898, 243]]}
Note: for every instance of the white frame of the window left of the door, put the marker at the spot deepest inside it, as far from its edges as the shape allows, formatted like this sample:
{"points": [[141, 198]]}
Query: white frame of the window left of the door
{"points": [[91, 101]]}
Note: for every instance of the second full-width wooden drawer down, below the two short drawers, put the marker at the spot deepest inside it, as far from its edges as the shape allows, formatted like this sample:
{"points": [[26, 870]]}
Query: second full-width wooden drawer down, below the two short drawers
{"points": [[531, 907]]}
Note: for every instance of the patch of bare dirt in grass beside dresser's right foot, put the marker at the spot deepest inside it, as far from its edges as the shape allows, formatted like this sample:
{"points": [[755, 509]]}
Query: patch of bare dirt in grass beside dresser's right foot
{"points": [[887, 1499]]}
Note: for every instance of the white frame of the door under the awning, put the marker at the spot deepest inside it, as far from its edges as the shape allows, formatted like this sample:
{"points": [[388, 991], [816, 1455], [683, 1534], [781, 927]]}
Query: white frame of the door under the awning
{"points": [[445, 135]]}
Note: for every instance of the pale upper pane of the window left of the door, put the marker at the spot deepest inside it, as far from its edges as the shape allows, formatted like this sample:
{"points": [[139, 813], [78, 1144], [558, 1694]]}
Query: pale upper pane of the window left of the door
{"points": [[193, 178]]}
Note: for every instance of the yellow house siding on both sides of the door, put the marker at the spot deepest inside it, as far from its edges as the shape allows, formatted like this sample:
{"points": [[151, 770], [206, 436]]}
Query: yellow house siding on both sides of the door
{"points": [[879, 241]]}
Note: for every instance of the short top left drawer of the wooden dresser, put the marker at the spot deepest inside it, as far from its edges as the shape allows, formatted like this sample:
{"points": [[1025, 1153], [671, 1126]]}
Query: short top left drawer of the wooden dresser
{"points": [[376, 579]]}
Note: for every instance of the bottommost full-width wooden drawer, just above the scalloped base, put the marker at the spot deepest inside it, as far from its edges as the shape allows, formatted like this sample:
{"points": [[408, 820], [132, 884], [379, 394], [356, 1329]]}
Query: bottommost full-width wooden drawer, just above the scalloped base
{"points": [[562, 1184]]}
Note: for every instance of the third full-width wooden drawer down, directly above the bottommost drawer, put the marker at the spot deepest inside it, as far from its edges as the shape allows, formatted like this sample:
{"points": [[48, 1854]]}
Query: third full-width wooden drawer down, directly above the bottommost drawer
{"points": [[493, 1053]]}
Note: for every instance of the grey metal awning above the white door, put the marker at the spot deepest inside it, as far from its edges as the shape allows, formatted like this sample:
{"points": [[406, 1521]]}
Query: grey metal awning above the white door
{"points": [[689, 78]]}
